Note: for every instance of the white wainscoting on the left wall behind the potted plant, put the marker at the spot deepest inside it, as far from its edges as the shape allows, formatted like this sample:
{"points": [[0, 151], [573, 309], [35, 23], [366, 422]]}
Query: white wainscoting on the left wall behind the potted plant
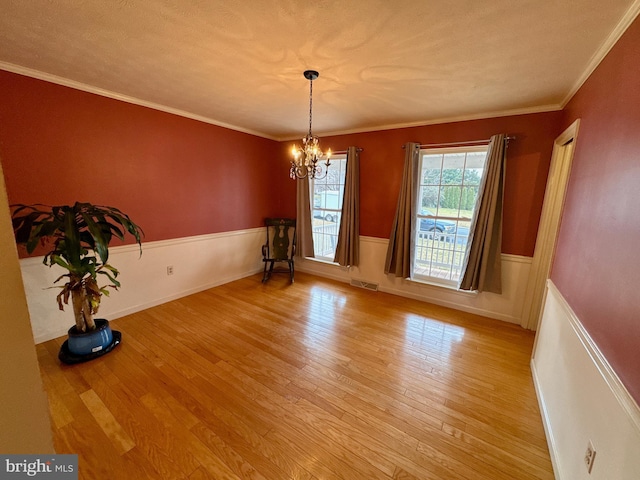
{"points": [[199, 263]]}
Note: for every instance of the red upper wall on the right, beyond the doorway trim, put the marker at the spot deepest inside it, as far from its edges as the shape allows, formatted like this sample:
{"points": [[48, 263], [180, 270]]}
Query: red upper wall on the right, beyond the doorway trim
{"points": [[597, 263]]}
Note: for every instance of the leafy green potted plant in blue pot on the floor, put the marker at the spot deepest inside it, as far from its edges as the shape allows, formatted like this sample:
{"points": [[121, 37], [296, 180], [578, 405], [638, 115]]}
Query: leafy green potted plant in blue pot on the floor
{"points": [[76, 237]]}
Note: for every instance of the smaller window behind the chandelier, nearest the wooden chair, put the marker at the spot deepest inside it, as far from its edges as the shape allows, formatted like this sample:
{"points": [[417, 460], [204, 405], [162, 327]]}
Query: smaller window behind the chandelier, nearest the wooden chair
{"points": [[326, 208]]}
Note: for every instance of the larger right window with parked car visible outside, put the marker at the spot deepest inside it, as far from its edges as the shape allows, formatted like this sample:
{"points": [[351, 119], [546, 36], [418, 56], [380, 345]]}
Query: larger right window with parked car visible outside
{"points": [[447, 197]]}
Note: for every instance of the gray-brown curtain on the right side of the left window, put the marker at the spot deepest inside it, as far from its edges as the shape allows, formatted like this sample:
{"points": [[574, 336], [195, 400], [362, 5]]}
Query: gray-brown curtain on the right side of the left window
{"points": [[348, 246]]}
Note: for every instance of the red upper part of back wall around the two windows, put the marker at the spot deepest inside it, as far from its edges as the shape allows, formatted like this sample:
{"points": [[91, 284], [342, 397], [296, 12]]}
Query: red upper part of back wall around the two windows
{"points": [[381, 163]]}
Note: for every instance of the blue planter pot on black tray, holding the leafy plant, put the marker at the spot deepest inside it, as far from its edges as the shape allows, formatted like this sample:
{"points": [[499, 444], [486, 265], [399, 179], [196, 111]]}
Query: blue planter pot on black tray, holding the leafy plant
{"points": [[85, 346]]}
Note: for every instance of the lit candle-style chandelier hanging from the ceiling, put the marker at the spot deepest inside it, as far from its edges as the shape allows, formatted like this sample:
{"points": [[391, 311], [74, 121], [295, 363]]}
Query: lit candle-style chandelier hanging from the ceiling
{"points": [[305, 158]]}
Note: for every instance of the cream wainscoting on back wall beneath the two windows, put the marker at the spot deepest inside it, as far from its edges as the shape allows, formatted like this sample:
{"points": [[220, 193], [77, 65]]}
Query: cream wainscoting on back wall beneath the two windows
{"points": [[373, 252]]}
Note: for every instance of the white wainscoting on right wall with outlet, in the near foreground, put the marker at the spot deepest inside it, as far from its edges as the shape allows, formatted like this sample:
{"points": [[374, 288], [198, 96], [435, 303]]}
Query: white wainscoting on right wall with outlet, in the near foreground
{"points": [[582, 399]]}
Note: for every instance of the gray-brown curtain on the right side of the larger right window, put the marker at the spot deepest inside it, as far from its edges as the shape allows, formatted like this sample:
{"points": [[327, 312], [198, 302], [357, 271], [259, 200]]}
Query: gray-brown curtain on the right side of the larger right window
{"points": [[483, 264]]}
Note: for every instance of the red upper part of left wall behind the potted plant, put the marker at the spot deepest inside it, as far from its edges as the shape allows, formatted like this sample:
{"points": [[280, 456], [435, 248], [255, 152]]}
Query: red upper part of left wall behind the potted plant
{"points": [[174, 176]]}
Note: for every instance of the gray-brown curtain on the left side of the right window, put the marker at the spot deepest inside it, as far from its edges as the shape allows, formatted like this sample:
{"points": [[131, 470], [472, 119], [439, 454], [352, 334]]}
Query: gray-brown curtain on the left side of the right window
{"points": [[399, 260]]}
